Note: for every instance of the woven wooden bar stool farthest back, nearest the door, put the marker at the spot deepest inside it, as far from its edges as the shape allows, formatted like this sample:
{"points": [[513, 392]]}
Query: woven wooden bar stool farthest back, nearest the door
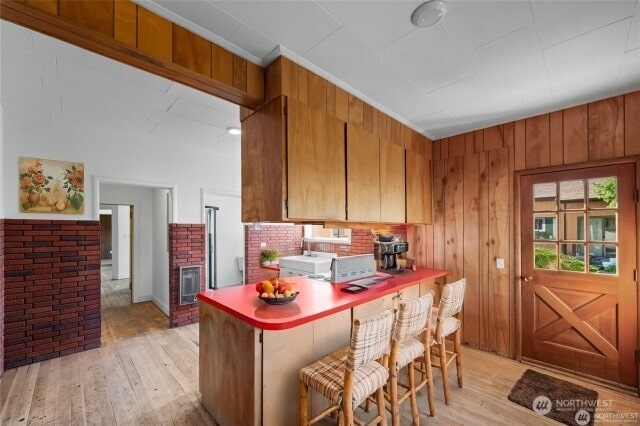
{"points": [[445, 324]]}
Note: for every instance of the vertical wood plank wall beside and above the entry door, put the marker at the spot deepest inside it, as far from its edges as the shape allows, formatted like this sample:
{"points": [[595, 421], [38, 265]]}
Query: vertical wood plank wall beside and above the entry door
{"points": [[473, 201]]}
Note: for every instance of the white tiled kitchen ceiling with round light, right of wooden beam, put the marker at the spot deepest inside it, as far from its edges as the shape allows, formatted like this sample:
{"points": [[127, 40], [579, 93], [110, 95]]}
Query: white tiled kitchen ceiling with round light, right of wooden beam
{"points": [[485, 63]]}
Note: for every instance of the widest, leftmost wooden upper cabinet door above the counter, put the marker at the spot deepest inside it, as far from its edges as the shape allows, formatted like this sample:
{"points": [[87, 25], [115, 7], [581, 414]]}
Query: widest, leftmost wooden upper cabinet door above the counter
{"points": [[315, 163]]}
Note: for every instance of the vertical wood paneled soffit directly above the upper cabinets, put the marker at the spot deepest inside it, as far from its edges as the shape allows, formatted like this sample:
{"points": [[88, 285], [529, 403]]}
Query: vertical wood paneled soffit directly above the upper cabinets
{"points": [[285, 77]]}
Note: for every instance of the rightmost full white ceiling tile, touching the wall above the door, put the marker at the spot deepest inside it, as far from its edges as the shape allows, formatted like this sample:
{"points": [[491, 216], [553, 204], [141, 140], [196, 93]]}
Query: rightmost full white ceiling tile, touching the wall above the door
{"points": [[573, 73]]}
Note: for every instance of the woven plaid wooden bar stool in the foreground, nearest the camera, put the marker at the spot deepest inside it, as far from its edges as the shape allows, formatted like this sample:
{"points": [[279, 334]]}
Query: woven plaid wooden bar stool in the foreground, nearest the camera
{"points": [[348, 376]]}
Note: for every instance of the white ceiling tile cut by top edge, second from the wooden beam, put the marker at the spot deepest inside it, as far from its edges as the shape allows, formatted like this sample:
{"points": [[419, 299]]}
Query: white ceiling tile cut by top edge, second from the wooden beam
{"points": [[298, 25]]}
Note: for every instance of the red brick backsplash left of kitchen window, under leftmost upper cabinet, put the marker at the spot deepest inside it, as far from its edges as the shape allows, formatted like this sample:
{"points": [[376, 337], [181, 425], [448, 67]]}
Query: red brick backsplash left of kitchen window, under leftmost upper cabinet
{"points": [[284, 238]]}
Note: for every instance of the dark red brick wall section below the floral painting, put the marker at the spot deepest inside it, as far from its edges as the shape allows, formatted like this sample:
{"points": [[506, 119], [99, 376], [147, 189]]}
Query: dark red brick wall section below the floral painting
{"points": [[52, 289]]}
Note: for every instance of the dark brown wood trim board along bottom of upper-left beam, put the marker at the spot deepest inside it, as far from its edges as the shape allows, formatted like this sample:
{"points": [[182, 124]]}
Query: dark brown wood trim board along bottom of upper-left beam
{"points": [[59, 28]]}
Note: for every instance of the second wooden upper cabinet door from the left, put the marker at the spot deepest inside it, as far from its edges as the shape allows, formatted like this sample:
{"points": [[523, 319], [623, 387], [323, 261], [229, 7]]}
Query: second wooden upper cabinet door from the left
{"points": [[363, 176]]}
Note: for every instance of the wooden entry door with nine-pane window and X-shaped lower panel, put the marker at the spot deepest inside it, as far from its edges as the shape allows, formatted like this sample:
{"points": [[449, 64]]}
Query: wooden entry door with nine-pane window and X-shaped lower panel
{"points": [[579, 301]]}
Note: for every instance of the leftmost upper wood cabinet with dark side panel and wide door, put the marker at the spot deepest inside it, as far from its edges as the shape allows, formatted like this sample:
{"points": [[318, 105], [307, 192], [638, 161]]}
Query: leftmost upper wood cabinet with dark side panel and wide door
{"points": [[293, 164]]}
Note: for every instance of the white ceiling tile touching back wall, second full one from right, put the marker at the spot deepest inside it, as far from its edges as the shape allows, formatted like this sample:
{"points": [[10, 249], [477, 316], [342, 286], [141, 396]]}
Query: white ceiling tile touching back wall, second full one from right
{"points": [[504, 64]]}
